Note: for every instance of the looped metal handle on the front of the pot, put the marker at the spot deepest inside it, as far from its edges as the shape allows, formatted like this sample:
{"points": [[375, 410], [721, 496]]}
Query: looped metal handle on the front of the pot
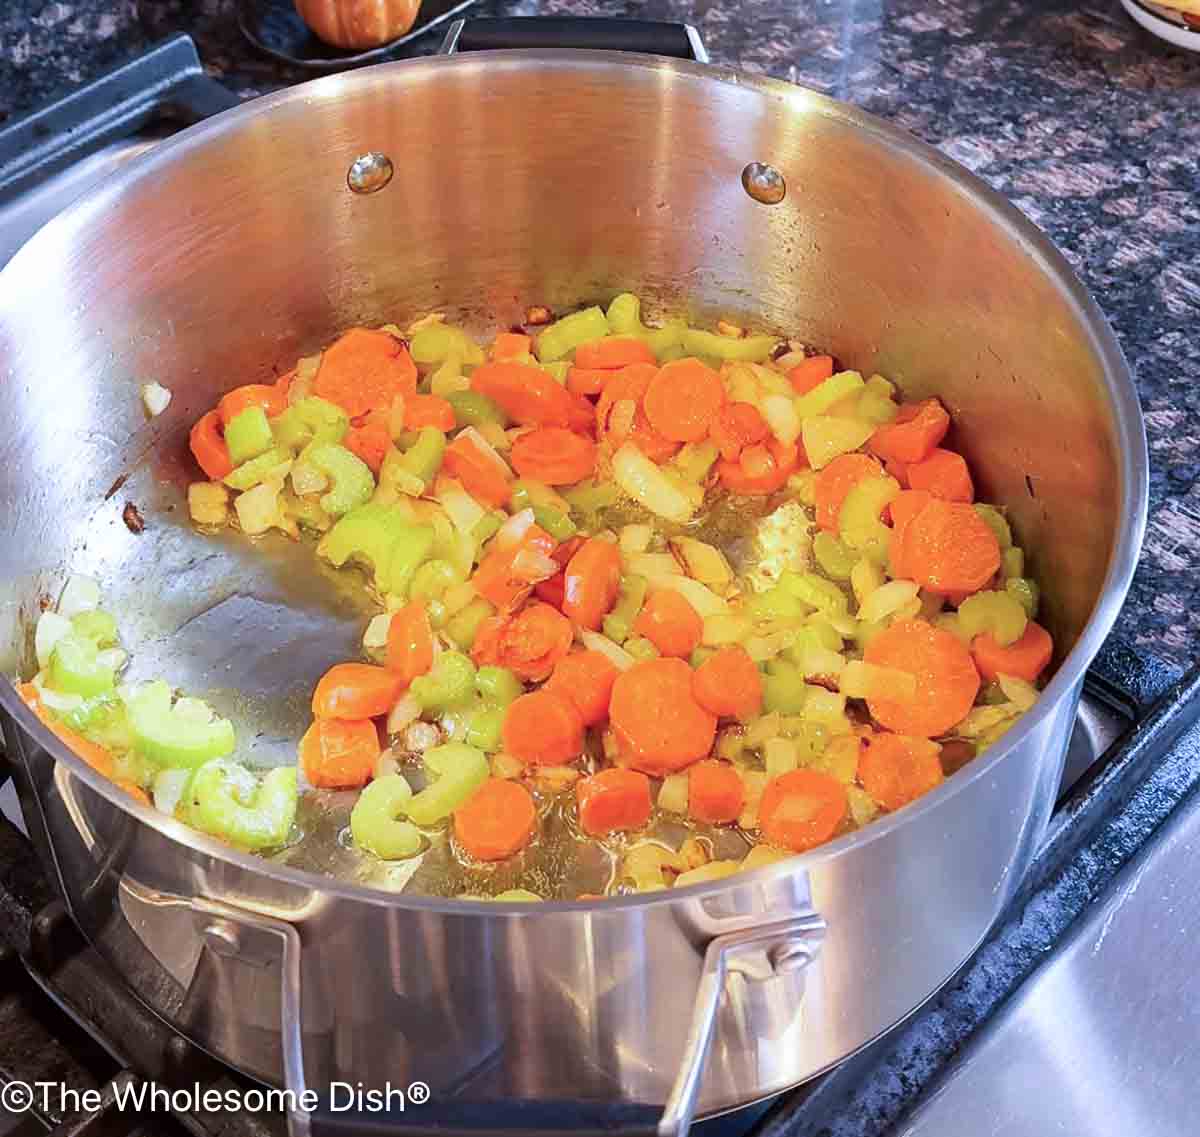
{"points": [[757, 953]]}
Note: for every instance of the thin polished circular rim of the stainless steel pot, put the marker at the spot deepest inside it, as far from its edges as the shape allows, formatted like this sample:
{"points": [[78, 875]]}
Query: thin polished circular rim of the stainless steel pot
{"points": [[1132, 460]]}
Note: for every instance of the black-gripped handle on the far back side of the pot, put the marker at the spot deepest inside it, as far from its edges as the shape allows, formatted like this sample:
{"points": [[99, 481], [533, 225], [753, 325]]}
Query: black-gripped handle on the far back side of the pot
{"points": [[599, 34]]}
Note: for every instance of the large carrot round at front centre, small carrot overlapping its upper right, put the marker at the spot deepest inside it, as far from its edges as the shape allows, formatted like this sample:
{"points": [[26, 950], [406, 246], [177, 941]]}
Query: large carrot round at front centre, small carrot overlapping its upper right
{"points": [[658, 723]]}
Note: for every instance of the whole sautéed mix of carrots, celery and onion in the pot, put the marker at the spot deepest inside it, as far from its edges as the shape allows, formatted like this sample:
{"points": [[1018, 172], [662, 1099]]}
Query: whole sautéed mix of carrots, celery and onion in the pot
{"points": [[698, 600]]}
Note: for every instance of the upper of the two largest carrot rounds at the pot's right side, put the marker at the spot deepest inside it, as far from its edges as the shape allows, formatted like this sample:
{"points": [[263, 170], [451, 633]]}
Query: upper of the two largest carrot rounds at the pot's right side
{"points": [[950, 549]]}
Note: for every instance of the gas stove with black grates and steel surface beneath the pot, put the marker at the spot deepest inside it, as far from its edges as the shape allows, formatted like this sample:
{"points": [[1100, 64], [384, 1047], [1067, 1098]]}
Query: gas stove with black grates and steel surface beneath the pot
{"points": [[1075, 1016]]}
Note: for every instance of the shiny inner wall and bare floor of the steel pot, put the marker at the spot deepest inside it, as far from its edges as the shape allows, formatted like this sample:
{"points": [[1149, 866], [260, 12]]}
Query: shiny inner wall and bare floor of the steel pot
{"points": [[560, 179]]}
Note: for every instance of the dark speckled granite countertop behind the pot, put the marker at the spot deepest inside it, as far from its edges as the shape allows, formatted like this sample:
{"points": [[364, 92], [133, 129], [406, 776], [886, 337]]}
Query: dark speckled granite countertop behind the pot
{"points": [[1069, 109]]}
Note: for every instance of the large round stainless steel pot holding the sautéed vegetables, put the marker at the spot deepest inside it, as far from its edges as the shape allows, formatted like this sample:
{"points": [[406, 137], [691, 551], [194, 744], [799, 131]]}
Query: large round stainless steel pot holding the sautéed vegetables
{"points": [[557, 177]]}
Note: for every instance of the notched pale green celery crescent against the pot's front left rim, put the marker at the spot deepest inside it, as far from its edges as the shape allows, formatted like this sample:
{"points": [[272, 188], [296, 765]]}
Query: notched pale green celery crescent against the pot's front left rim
{"points": [[229, 802]]}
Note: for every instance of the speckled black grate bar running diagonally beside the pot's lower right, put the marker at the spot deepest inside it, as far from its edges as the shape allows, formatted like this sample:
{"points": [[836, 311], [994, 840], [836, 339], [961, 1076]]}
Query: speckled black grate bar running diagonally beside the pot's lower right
{"points": [[1103, 825]]}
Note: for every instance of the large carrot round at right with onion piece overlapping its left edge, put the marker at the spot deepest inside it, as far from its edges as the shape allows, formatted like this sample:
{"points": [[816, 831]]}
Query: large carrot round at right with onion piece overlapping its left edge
{"points": [[947, 681]]}
